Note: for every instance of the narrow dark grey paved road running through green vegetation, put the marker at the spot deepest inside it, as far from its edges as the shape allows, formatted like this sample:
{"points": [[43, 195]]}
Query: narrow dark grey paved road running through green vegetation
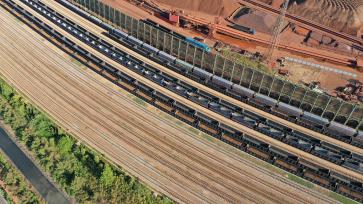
{"points": [[46, 189]]}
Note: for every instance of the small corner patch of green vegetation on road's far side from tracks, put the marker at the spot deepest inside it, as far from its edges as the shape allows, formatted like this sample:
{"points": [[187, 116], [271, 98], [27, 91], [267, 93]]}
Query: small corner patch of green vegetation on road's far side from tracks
{"points": [[15, 184]]}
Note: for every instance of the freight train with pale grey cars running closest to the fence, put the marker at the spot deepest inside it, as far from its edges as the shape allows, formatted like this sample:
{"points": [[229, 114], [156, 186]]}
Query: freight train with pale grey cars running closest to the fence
{"points": [[281, 109]]}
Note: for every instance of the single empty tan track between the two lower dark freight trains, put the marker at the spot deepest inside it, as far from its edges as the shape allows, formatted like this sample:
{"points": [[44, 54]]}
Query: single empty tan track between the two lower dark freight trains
{"points": [[260, 136]]}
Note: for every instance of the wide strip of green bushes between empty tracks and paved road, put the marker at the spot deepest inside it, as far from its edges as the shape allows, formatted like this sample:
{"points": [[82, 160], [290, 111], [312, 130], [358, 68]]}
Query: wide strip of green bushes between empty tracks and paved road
{"points": [[81, 172]]}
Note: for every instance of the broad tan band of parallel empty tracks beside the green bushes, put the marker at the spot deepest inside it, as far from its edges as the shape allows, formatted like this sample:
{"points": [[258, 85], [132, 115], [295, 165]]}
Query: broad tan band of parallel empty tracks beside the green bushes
{"points": [[148, 146]]}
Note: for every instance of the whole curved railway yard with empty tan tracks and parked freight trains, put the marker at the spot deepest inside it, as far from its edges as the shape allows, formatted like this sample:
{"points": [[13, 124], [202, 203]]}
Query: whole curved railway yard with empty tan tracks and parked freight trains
{"points": [[37, 39]]}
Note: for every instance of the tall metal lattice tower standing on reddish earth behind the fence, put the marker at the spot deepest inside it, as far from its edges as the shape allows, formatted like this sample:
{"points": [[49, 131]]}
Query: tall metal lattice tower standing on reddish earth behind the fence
{"points": [[276, 32]]}
